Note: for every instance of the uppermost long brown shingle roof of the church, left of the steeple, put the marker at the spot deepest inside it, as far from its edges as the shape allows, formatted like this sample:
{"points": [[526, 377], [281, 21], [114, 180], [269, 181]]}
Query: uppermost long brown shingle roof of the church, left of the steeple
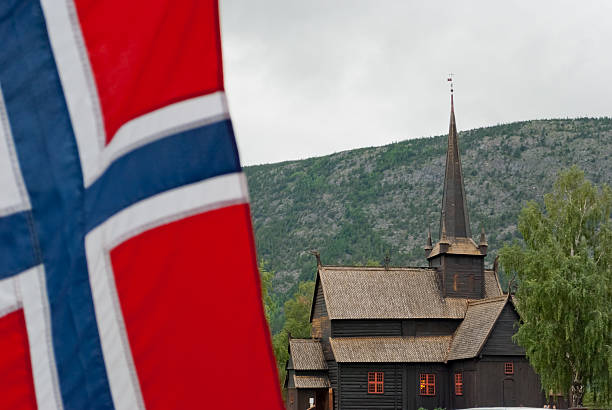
{"points": [[396, 293]]}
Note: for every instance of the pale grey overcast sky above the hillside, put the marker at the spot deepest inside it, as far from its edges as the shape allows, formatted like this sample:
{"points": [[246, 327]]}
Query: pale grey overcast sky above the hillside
{"points": [[312, 77]]}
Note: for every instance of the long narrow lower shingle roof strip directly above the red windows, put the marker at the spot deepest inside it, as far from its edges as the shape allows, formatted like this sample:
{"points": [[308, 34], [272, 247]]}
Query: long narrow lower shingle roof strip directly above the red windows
{"points": [[390, 349]]}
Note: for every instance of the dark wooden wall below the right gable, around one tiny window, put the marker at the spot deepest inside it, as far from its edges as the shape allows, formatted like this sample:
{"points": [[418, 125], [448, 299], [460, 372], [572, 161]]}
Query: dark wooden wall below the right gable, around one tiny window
{"points": [[496, 388]]}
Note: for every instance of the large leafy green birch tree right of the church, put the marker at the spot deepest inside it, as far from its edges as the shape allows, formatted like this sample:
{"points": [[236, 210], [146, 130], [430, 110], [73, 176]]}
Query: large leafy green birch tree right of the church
{"points": [[564, 294]]}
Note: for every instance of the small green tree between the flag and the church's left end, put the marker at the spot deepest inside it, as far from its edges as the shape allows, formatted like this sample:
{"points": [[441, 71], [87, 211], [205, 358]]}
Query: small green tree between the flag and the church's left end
{"points": [[297, 324]]}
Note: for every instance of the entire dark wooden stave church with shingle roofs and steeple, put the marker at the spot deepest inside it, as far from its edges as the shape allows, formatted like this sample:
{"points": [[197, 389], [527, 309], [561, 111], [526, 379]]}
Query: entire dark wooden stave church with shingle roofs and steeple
{"points": [[406, 338]]}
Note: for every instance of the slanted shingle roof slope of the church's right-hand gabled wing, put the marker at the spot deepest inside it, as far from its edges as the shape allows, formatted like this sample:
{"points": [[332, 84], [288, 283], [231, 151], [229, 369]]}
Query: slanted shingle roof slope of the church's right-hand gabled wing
{"points": [[473, 332]]}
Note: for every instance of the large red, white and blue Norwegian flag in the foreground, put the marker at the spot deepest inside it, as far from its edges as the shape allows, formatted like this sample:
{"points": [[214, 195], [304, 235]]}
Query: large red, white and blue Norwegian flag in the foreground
{"points": [[127, 267]]}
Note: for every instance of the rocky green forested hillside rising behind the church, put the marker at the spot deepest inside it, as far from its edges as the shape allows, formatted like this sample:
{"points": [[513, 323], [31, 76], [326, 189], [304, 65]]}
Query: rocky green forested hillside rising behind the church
{"points": [[356, 206]]}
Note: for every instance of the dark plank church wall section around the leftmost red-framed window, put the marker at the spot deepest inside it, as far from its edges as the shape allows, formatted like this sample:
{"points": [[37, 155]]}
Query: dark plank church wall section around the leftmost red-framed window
{"points": [[353, 391]]}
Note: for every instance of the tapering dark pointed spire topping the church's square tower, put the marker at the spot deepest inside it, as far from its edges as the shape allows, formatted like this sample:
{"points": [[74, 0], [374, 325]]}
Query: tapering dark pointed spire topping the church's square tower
{"points": [[454, 215]]}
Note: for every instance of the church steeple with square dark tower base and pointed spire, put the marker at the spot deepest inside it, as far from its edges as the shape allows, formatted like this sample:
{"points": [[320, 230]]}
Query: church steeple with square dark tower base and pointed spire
{"points": [[456, 257]]}
